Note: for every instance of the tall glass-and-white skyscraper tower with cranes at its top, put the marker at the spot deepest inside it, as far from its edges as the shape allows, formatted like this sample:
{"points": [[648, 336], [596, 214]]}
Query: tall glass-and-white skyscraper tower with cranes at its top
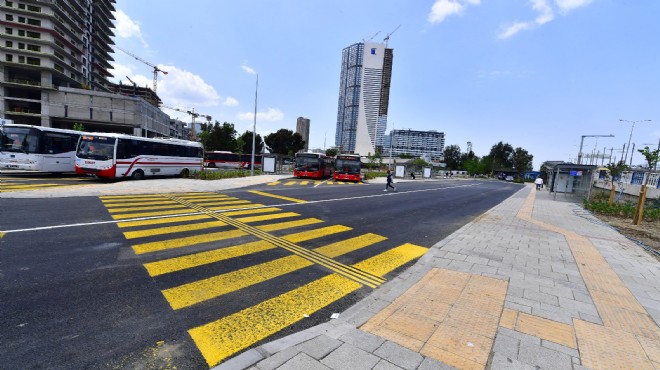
{"points": [[364, 91]]}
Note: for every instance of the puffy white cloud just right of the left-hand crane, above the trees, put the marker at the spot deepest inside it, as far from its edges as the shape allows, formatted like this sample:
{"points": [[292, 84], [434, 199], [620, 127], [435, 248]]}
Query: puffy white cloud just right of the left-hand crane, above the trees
{"points": [[181, 88]]}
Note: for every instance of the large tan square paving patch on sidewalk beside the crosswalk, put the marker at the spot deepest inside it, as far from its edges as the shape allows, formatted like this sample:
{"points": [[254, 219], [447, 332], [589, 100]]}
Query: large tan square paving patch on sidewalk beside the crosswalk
{"points": [[448, 315]]}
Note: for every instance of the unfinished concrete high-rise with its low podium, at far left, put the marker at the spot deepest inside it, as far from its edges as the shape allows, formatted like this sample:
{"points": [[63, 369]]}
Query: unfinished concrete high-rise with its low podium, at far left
{"points": [[55, 68]]}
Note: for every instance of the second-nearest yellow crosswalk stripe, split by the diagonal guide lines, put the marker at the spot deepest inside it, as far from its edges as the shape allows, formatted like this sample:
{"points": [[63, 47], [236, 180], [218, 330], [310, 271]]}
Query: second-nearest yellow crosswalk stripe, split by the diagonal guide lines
{"points": [[202, 290]]}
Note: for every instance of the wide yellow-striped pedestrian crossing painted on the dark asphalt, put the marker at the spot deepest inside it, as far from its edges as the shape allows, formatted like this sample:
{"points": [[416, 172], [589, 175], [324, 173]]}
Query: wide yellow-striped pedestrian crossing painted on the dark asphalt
{"points": [[182, 233]]}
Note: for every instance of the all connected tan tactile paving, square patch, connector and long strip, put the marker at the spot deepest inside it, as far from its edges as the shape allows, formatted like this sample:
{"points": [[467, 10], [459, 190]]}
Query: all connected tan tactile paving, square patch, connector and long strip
{"points": [[453, 316]]}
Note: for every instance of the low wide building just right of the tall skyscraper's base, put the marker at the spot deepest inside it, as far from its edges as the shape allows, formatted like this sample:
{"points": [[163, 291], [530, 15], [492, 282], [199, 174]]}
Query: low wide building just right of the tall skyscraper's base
{"points": [[416, 143]]}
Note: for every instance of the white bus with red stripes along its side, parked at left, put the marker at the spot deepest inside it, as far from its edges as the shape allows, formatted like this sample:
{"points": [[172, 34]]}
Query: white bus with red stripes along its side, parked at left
{"points": [[122, 156]]}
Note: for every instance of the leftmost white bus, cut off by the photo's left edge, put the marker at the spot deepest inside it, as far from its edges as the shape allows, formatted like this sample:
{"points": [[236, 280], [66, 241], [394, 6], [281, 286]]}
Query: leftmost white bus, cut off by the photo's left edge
{"points": [[37, 148]]}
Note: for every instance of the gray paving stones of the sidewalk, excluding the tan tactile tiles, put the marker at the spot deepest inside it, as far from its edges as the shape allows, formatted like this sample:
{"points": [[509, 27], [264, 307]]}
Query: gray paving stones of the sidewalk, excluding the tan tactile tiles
{"points": [[543, 277]]}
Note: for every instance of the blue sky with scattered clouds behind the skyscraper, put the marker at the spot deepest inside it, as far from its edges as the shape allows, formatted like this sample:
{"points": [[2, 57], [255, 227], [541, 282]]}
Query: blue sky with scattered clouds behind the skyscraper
{"points": [[536, 74]]}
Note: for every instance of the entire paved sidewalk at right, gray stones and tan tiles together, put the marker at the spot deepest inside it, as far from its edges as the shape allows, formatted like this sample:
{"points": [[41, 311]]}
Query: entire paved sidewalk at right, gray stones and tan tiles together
{"points": [[533, 283]]}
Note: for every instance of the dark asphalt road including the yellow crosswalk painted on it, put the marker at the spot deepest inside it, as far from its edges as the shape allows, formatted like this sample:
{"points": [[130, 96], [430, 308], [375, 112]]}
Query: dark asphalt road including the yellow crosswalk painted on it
{"points": [[188, 280]]}
